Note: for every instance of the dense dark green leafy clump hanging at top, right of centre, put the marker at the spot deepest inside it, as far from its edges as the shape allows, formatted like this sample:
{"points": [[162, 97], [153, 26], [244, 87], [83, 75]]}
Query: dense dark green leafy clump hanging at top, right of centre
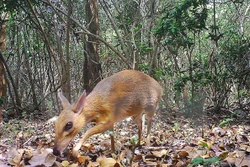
{"points": [[185, 17]]}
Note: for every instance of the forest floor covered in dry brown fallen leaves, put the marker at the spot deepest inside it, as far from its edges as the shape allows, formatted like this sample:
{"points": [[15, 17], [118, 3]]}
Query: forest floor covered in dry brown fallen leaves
{"points": [[176, 140]]}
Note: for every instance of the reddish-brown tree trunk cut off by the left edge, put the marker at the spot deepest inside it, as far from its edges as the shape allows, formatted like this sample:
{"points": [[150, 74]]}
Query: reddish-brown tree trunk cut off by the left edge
{"points": [[3, 85]]}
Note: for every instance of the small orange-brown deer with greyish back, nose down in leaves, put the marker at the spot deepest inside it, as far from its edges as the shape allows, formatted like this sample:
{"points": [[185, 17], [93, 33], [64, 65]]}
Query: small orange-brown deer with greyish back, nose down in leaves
{"points": [[125, 94]]}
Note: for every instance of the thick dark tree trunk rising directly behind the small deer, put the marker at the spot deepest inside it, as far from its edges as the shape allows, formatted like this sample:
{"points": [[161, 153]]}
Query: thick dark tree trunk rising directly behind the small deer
{"points": [[92, 66]]}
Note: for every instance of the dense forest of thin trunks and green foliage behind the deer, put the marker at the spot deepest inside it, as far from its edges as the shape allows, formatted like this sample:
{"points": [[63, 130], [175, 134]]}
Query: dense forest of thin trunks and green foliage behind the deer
{"points": [[197, 49]]}
